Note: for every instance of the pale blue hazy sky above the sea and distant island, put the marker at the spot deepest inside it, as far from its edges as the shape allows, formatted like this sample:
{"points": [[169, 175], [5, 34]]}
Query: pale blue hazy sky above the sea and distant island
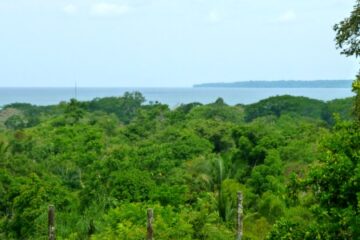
{"points": [[169, 43]]}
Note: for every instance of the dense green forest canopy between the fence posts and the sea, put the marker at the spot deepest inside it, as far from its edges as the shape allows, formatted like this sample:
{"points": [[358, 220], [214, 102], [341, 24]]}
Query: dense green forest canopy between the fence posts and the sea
{"points": [[102, 163]]}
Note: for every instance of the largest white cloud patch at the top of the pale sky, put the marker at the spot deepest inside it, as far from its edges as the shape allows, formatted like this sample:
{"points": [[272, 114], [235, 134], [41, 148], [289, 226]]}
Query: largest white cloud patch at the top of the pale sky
{"points": [[108, 9]]}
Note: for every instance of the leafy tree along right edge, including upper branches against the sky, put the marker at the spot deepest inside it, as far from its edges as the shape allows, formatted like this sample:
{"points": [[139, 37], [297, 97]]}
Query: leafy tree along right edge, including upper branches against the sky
{"points": [[332, 183]]}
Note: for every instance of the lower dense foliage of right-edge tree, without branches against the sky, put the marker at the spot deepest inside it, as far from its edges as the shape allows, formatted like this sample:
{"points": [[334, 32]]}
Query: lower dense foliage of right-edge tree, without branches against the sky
{"points": [[334, 189]]}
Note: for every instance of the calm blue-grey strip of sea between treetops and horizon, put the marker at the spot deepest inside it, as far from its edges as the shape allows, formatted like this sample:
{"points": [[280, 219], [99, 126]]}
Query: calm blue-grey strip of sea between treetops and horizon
{"points": [[170, 96]]}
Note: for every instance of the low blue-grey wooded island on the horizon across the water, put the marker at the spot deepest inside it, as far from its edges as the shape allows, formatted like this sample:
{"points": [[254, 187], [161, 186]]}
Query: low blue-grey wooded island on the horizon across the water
{"points": [[280, 84]]}
